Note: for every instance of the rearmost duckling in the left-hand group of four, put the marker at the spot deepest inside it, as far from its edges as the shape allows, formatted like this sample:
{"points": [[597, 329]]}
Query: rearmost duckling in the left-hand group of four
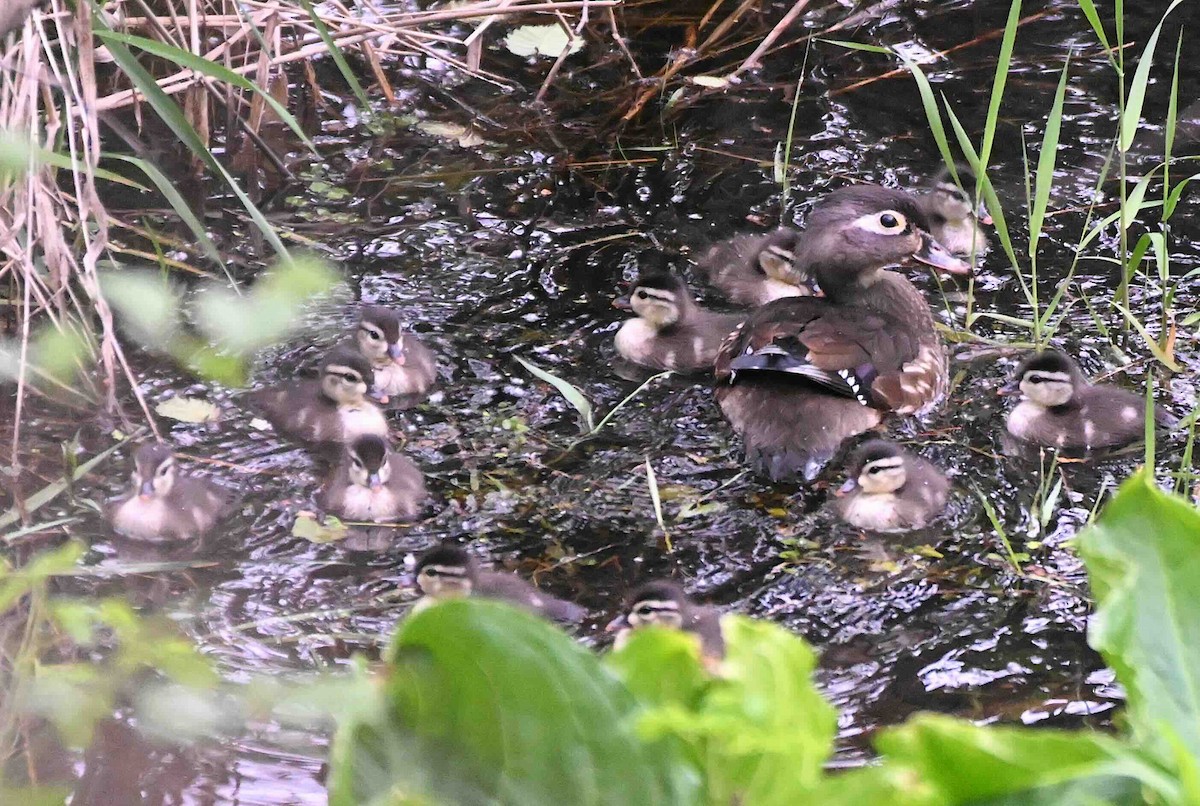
{"points": [[401, 363]]}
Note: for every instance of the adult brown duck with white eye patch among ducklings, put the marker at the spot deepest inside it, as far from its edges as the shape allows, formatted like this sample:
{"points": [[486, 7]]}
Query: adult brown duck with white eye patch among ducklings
{"points": [[801, 375]]}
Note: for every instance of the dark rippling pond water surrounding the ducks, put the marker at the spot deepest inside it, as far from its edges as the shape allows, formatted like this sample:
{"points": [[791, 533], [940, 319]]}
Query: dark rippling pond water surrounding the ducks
{"points": [[518, 248]]}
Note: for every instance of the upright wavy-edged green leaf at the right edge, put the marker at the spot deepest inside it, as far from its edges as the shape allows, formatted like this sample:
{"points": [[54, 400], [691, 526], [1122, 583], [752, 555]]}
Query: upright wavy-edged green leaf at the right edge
{"points": [[1144, 566]]}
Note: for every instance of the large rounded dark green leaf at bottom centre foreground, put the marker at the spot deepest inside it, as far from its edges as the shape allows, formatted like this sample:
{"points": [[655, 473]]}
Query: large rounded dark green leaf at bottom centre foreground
{"points": [[489, 705]]}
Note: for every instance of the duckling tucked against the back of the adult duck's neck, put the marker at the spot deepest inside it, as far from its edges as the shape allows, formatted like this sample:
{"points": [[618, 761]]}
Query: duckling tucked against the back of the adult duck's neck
{"points": [[754, 270]]}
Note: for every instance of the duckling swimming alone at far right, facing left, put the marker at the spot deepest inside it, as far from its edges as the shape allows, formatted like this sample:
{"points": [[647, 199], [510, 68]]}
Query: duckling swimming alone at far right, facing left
{"points": [[1061, 408]]}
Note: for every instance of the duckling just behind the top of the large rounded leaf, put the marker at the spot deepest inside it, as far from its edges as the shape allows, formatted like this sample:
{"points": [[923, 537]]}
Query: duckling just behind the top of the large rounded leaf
{"points": [[451, 572]]}
